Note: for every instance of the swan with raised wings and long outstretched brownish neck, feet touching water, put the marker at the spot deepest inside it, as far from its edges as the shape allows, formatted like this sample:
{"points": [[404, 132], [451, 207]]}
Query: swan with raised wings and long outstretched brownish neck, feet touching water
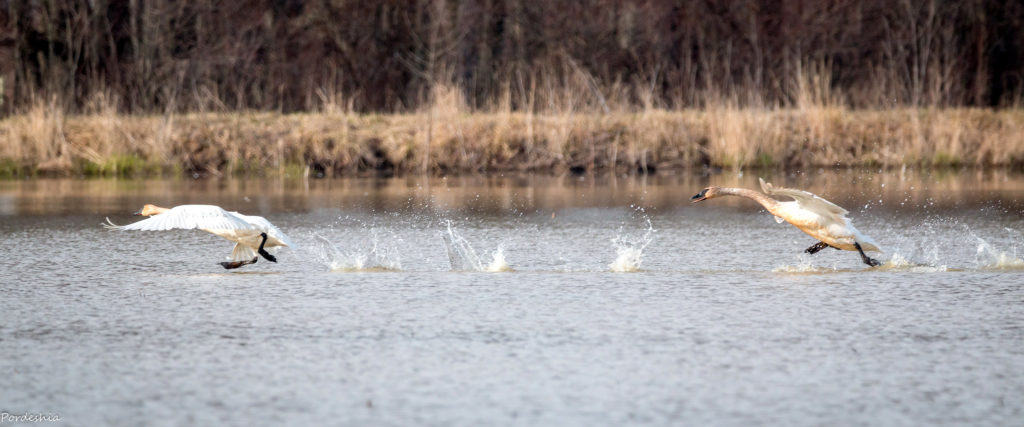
{"points": [[816, 217]]}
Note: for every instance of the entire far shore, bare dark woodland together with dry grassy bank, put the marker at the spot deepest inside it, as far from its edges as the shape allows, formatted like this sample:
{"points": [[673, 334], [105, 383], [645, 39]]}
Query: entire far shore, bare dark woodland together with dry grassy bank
{"points": [[779, 73]]}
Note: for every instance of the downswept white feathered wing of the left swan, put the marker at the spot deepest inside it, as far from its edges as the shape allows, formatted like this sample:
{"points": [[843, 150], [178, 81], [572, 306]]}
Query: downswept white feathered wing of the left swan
{"points": [[189, 218]]}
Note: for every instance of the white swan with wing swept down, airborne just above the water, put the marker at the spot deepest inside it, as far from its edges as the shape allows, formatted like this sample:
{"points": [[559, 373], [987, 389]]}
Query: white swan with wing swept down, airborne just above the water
{"points": [[250, 234]]}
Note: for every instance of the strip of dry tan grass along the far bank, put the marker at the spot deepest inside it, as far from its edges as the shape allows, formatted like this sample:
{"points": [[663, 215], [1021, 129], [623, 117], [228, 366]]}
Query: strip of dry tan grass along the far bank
{"points": [[449, 139]]}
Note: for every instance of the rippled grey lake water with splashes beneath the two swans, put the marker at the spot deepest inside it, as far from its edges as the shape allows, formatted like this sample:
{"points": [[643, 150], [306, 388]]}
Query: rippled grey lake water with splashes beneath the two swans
{"points": [[524, 301]]}
